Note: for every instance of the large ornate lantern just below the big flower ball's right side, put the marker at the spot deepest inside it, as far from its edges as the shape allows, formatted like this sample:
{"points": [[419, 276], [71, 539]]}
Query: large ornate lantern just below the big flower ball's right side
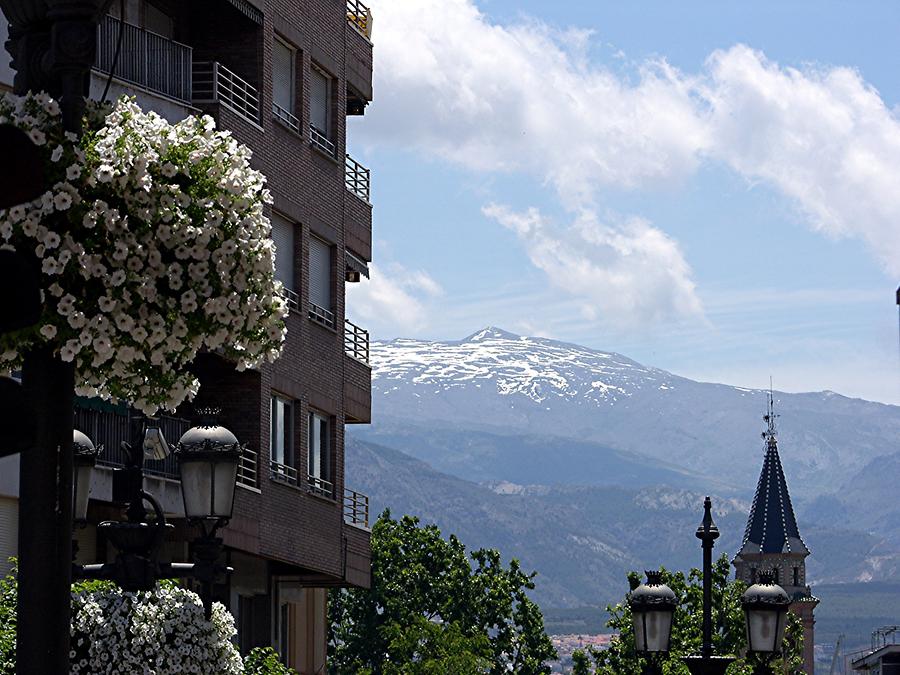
{"points": [[208, 456]]}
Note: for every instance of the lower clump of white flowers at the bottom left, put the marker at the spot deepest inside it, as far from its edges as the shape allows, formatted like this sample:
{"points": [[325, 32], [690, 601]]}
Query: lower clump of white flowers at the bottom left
{"points": [[158, 632]]}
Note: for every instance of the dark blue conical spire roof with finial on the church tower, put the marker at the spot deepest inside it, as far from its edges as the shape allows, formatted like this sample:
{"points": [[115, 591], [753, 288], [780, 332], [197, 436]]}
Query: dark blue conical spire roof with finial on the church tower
{"points": [[772, 527]]}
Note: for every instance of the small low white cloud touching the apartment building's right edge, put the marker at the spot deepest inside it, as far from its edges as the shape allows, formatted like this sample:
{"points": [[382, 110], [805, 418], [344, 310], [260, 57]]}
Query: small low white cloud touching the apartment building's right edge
{"points": [[392, 302]]}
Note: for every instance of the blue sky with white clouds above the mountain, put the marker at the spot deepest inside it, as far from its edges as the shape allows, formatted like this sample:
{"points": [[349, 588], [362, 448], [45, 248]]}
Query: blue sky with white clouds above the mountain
{"points": [[704, 187]]}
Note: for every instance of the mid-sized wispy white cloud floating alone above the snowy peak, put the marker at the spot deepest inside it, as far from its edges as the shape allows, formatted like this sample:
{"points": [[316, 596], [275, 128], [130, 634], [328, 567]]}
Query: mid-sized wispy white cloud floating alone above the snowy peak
{"points": [[627, 273]]}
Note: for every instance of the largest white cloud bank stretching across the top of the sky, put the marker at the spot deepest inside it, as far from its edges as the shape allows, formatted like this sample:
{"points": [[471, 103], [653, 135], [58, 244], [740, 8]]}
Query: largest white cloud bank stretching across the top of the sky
{"points": [[524, 97]]}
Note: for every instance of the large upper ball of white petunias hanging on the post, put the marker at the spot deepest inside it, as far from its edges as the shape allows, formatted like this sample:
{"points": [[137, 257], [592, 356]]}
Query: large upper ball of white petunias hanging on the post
{"points": [[152, 244]]}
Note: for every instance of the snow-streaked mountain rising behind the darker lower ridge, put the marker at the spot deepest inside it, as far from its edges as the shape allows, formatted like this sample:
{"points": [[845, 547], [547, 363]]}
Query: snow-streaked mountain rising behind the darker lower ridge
{"points": [[496, 404]]}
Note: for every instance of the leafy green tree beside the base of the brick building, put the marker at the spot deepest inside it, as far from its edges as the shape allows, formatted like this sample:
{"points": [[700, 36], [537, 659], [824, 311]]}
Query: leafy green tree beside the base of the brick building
{"points": [[432, 609]]}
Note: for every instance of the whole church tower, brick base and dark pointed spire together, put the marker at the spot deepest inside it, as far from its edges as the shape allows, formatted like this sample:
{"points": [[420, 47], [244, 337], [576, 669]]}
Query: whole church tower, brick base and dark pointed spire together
{"points": [[772, 540]]}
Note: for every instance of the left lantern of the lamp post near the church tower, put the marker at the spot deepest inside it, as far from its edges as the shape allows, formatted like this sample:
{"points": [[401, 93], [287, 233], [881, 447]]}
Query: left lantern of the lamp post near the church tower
{"points": [[652, 606]]}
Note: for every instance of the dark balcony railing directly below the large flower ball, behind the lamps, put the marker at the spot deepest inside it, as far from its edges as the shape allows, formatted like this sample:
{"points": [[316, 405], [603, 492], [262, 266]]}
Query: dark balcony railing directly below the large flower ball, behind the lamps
{"points": [[112, 427]]}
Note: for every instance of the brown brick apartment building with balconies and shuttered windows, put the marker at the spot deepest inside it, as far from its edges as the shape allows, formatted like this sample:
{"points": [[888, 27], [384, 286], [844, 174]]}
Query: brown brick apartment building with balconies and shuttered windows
{"points": [[282, 76]]}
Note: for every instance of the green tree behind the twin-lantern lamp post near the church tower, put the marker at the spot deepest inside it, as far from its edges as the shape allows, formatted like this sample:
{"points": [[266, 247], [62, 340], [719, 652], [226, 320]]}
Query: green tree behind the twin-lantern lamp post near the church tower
{"points": [[729, 636]]}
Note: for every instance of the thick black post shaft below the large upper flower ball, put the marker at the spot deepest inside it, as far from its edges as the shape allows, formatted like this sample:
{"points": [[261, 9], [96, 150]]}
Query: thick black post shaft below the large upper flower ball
{"points": [[45, 518]]}
